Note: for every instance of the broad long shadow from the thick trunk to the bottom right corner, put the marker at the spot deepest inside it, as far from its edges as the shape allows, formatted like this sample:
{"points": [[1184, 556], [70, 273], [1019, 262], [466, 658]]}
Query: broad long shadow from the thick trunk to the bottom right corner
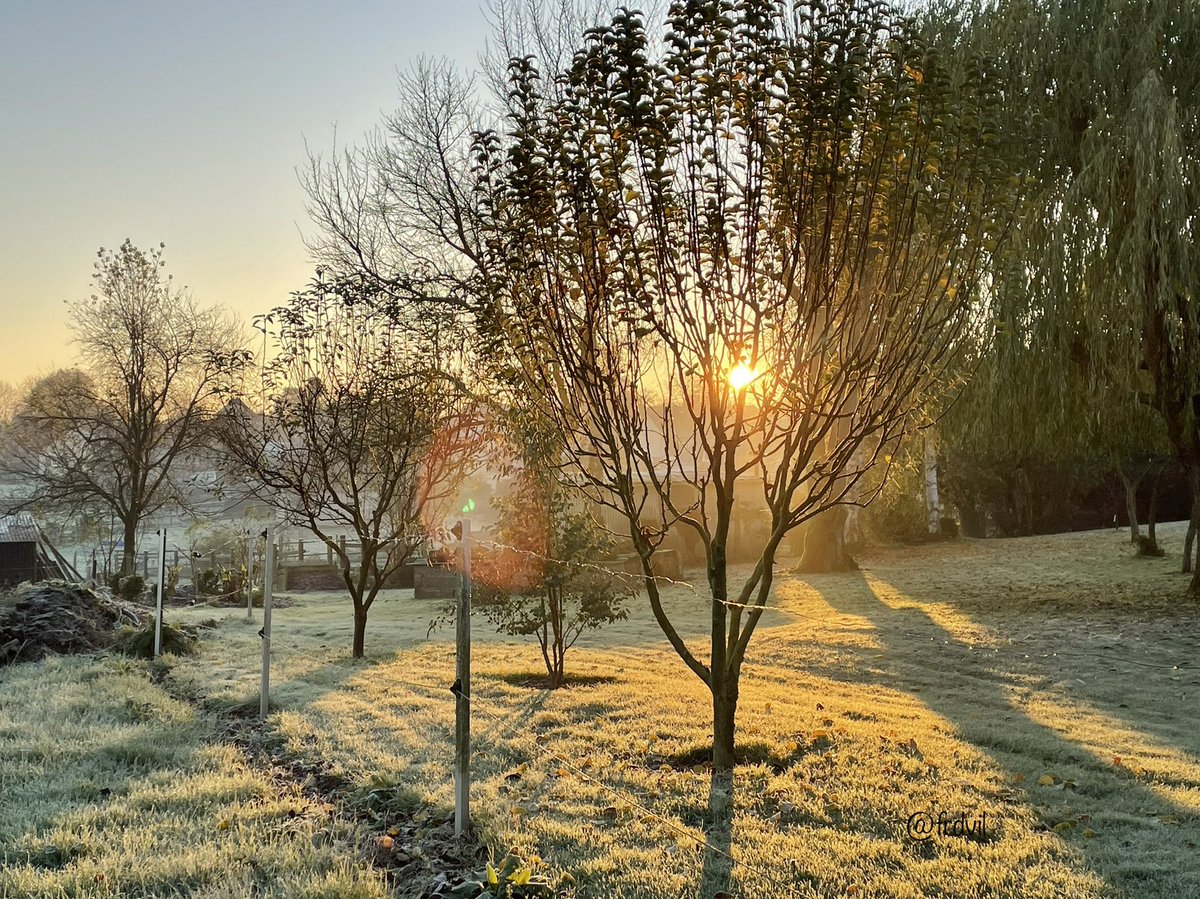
{"points": [[921, 657]]}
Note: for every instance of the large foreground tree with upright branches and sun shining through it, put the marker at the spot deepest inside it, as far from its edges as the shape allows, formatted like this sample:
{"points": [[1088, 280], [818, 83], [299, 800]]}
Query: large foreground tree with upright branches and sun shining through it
{"points": [[737, 262]]}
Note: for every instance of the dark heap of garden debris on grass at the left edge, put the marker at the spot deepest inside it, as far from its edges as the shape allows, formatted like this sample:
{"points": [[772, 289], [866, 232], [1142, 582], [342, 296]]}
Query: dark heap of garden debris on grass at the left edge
{"points": [[57, 618]]}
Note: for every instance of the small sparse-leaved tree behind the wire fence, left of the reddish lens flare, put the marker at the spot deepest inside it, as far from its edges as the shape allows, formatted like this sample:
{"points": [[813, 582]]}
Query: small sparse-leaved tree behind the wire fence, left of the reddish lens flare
{"points": [[367, 428]]}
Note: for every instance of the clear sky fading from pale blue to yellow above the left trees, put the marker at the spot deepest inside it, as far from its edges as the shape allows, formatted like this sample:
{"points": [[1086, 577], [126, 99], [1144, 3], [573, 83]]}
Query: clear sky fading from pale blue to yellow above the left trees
{"points": [[184, 123]]}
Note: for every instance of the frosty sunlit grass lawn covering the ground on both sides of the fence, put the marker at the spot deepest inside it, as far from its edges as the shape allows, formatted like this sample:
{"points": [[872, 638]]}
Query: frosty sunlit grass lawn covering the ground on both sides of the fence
{"points": [[1028, 685]]}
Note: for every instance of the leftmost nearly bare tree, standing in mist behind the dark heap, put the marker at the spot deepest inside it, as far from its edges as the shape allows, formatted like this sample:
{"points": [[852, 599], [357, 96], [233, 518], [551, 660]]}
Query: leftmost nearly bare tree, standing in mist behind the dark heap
{"points": [[115, 431]]}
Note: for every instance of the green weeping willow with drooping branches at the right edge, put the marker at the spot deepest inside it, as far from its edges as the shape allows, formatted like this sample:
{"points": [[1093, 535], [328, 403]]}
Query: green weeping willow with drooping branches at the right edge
{"points": [[1109, 248]]}
